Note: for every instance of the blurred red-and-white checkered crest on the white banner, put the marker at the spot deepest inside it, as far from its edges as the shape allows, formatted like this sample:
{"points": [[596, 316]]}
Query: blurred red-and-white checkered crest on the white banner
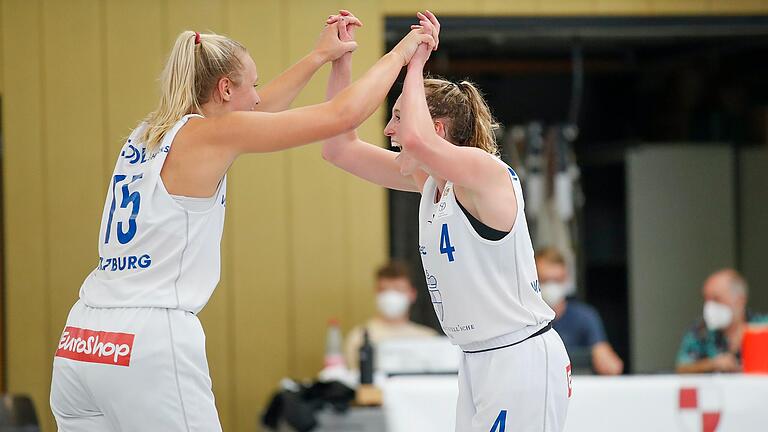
{"points": [[700, 408]]}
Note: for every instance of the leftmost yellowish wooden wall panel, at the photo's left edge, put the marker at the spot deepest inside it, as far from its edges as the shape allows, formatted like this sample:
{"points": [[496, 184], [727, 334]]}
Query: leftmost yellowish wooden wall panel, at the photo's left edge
{"points": [[28, 343]]}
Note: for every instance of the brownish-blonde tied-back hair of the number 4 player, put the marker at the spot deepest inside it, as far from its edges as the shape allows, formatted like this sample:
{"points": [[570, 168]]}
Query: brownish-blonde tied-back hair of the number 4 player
{"points": [[469, 120]]}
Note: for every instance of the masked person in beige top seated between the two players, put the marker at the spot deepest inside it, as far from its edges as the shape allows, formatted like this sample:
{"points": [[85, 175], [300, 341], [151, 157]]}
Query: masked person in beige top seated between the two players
{"points": [[394, 296]]}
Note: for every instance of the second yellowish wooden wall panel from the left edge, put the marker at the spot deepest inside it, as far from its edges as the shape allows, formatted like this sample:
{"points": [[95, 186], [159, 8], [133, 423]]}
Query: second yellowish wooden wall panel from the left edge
{"points": [[74, 144]]}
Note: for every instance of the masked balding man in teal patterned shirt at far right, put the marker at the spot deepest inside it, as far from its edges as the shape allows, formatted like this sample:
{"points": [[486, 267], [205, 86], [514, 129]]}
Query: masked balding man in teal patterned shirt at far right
{"points": [[713, 344]]}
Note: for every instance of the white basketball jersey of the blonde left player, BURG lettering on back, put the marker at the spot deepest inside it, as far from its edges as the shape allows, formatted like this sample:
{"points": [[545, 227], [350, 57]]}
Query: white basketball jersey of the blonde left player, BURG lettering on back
{"points": [[152, 251]]}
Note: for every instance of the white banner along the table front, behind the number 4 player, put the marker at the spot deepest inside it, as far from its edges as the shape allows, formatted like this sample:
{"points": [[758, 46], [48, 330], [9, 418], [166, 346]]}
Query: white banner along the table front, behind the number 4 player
{"points": [[669, 403]]}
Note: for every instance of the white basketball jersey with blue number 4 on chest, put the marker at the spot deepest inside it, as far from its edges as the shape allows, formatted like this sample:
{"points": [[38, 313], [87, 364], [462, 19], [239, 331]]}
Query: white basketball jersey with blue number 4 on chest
{"points": [[481, 289]]}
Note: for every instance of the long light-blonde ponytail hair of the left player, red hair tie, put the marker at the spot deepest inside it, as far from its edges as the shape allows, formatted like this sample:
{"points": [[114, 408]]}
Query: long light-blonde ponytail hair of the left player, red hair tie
{"points": [[194, 67]]}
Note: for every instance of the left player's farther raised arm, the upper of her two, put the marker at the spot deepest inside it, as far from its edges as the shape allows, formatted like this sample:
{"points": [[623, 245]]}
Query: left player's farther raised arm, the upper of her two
{"points": [[281, 91]]}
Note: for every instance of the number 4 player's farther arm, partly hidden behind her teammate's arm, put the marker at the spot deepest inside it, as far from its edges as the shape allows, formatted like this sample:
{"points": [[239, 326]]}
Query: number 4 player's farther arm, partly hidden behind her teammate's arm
{"points": [[347, 151]]}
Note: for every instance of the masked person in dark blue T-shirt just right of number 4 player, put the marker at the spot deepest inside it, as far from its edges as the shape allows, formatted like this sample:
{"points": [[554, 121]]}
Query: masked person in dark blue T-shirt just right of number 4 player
{"points": [[578, 324]]}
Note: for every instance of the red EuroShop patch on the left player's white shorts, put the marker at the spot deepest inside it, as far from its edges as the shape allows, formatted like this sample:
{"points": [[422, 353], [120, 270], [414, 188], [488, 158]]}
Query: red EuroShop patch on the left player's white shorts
{"points": [[96, 346]]}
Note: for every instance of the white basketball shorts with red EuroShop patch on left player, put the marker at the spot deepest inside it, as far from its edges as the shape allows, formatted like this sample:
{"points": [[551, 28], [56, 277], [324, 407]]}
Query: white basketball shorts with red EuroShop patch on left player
{"points": [[132, 369]]}
